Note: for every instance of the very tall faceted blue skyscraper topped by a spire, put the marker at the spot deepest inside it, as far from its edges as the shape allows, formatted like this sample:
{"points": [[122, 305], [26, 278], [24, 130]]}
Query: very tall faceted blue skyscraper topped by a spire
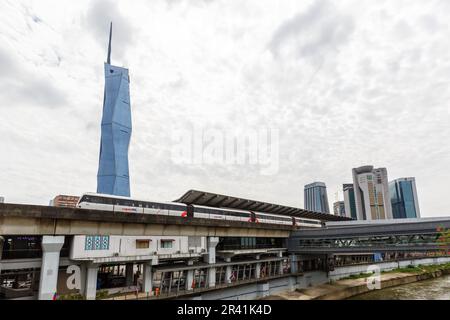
{"points": [[113, 173]]}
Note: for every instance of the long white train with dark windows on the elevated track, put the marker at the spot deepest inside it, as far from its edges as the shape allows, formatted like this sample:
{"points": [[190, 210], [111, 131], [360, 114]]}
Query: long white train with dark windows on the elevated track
{"points": [[95, 201]]}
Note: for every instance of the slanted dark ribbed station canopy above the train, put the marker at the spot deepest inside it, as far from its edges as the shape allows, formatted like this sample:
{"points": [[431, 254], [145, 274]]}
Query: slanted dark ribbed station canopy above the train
{"points": [[208, 199]]}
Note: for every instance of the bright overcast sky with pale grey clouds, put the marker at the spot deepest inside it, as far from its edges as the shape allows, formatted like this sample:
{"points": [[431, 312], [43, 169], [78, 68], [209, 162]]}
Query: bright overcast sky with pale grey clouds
{"points": [[346, 83]]}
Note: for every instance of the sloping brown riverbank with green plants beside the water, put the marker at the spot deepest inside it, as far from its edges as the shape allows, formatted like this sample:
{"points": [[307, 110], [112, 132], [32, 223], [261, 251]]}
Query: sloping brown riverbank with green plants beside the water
{"points": [[358, 284]]}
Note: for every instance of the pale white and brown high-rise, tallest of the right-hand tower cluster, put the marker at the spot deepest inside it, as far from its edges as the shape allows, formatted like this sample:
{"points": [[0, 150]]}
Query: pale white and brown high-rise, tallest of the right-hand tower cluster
{"points": [[371, 190]]}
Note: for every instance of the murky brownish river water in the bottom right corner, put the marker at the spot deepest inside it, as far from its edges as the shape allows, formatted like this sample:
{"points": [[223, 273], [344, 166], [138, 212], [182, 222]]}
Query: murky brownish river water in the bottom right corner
{"points": [[434, 289]]}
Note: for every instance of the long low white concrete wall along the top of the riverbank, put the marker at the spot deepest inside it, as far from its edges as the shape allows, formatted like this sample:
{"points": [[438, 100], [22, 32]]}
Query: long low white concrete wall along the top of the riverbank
{"points": [[343, 272]]}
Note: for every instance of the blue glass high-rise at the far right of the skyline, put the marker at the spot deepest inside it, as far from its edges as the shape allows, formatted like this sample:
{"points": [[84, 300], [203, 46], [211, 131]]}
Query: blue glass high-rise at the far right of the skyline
{"points": [[405, 203]]}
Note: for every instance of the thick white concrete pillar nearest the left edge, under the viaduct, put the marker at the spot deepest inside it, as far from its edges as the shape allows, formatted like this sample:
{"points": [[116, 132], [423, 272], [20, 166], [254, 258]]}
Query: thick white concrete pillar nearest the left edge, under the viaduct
{"points": [[51, 247]]}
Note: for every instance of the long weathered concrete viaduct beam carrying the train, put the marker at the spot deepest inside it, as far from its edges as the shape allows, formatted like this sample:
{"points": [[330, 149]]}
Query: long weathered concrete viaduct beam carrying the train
{"points": [[17, 219]]}
